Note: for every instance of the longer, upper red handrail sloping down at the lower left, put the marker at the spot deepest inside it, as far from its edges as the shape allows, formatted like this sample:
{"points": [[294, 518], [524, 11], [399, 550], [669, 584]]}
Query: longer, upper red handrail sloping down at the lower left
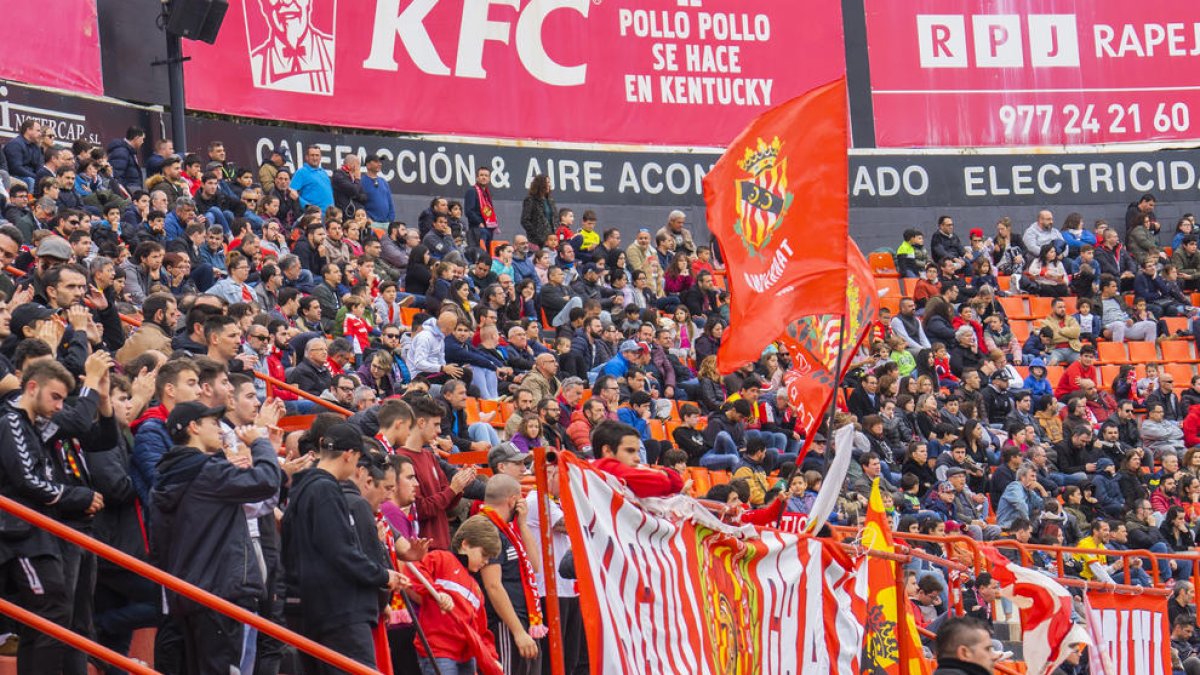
{"points": [[184, 589]]}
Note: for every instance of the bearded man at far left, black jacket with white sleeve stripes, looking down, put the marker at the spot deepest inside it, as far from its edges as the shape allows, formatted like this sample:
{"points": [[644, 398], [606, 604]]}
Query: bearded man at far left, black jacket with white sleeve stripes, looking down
{"points": [[32, 560]]}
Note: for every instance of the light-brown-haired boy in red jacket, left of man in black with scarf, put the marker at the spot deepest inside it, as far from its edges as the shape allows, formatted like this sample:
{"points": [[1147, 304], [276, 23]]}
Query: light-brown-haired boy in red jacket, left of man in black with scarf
{"points": [[454, 622]]}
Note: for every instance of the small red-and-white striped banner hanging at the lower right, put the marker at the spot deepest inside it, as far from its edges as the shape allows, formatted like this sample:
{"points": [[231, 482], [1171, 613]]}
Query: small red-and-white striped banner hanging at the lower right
{"points": [[1135, 632]]}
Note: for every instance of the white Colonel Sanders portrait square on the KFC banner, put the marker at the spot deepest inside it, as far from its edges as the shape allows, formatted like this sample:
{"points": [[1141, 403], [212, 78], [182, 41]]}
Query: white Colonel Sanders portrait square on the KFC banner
{"points": [[293, 56]]}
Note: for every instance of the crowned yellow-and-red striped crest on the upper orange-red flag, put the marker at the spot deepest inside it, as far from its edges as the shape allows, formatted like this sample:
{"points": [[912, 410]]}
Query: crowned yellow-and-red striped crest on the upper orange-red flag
{"points": [[763, 195]]}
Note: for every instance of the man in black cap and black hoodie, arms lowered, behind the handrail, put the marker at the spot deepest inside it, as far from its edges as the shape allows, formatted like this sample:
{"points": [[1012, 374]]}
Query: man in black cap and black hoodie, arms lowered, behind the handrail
{"points": [[333, 586]]}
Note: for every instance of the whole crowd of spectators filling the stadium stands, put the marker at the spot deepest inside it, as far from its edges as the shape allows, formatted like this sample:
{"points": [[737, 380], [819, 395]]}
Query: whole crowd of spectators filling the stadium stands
{"points": [[164, 441]]}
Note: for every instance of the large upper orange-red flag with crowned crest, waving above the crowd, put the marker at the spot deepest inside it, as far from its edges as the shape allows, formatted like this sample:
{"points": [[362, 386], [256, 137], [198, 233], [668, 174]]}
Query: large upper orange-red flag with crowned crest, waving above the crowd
{"points": [[778, 206]]}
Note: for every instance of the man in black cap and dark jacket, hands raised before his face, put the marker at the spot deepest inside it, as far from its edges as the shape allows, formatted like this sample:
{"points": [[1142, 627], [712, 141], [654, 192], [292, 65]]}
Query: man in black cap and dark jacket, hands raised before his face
{"points": [[200, 530]]}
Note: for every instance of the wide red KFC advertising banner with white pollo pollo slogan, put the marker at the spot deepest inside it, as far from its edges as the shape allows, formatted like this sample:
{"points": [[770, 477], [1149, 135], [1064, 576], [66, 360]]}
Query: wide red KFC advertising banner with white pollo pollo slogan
{"points": [[674, 73]]}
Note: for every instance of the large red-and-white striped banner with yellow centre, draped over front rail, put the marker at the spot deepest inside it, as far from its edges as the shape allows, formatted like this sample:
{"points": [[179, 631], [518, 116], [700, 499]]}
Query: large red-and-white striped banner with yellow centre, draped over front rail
{"points": [[667, 590]]}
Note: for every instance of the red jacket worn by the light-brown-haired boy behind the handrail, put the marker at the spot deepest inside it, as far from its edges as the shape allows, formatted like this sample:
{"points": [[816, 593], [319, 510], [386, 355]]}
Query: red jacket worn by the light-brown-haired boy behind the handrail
{"points": [[461, 634]]}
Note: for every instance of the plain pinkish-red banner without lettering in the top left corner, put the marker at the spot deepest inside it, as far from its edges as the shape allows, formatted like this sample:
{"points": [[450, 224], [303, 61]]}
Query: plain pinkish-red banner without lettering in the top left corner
{"points": [[53, 44]]}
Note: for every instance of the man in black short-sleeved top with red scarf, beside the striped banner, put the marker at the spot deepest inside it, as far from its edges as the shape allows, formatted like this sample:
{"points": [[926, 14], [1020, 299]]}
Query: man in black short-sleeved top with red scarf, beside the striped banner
{"points": [[509, 581]]}
